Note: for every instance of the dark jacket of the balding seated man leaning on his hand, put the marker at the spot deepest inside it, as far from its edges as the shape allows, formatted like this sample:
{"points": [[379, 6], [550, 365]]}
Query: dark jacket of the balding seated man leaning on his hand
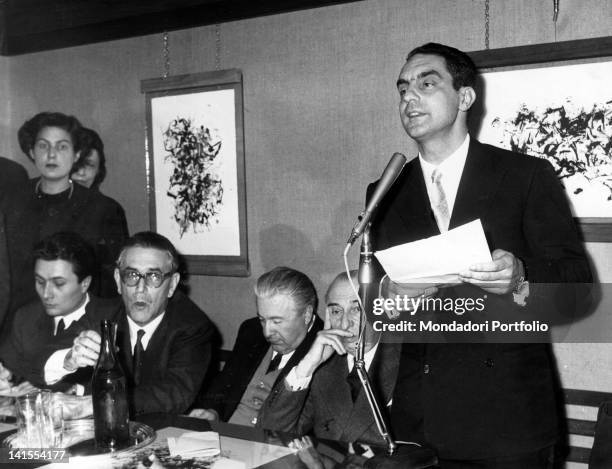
{"points": [[326, 408]]}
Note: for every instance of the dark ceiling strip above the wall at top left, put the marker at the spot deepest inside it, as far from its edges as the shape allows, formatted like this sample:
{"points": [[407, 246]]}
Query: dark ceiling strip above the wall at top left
{"points": [[37, 25]]}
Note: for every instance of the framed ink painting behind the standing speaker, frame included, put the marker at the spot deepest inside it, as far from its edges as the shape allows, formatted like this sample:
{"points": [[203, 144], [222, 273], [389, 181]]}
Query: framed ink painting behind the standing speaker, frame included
{"points": [[579, 62]]}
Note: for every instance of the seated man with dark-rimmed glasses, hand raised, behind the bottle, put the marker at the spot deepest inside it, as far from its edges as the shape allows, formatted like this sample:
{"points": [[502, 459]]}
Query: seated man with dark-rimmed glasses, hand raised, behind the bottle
{"points": [[164, 339]]}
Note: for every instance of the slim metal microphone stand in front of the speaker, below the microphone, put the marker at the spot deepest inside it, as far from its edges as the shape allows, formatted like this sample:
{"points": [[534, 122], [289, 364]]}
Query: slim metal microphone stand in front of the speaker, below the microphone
{"points": [[367, 294]]}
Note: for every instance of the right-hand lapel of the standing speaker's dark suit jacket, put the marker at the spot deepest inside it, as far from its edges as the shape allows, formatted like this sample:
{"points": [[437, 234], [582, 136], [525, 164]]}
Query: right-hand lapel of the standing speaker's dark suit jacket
{"points": [[479, 180]]}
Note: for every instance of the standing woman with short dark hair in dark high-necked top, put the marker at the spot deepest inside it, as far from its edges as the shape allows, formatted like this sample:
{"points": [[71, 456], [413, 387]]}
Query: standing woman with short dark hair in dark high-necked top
{"points": [[52, 203]]}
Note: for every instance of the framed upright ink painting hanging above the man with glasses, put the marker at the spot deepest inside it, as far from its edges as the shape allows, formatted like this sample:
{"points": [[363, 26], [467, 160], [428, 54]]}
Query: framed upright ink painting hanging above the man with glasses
{"points": [[195, 169]]}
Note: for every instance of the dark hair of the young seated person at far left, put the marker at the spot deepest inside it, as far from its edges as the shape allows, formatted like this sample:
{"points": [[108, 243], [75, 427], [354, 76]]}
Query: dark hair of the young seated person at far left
{"points": [[70, 247]]}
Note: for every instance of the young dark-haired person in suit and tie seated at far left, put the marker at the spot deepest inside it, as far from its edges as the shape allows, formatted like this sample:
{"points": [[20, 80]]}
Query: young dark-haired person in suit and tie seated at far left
{"points": [[62, 274]]}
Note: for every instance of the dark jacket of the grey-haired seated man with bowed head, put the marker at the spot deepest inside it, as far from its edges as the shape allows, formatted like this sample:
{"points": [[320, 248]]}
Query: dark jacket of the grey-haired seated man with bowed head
{"points": [[250, 348]]}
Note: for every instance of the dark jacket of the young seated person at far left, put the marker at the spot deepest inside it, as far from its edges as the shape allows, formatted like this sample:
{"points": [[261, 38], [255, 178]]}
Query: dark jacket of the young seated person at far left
{"points": [[31, 341]]}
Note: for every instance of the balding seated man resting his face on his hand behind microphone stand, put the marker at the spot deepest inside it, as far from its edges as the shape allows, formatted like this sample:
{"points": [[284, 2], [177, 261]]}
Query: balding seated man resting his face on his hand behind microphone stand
{"points": [[323, 394]]}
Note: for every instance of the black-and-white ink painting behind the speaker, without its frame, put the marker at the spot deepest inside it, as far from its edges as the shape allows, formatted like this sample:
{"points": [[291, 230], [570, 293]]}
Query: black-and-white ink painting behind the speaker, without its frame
{"points": [[563, 114]]}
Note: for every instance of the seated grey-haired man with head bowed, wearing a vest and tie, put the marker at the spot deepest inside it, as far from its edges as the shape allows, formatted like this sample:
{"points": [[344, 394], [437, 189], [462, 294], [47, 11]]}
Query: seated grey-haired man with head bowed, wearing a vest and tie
{"points": [[266, 348]]}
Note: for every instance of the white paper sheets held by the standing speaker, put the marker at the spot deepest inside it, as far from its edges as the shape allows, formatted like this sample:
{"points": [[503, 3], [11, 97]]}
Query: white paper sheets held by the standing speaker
{"points": [[437, 259]]}
